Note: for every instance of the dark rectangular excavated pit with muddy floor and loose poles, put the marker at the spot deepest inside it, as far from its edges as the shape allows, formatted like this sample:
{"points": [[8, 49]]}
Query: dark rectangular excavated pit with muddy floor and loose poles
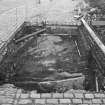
{"points": [[54, 60]]}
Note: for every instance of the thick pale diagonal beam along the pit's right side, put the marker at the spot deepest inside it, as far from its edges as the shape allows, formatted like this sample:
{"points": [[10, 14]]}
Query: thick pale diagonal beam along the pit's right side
{"points": [[94, 36]]}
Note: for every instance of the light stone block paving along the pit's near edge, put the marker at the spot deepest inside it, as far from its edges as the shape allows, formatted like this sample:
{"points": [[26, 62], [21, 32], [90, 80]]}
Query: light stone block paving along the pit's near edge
{"points": [[14, 96]]}
